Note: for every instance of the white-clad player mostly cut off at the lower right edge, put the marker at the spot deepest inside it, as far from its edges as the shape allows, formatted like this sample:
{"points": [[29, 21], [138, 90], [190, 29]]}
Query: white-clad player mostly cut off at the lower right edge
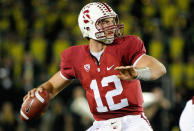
{"points": [[186, 122]]}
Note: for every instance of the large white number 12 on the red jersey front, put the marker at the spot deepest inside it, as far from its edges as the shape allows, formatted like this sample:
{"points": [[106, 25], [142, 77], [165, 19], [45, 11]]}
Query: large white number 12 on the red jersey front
{"points": [[109, 95]]}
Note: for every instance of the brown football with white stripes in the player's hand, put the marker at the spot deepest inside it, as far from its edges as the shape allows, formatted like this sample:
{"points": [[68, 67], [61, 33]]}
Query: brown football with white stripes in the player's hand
{"points": [[34, 107]]}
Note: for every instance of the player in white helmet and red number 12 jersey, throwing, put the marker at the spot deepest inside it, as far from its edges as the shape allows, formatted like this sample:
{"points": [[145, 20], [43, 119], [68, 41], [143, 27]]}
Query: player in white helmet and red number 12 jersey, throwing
{"points": [[109, 69]]}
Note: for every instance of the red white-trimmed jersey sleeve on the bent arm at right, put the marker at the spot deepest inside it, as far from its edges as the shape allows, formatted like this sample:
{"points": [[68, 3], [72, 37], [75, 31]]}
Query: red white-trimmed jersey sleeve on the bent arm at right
{"points": [[137, 49]]}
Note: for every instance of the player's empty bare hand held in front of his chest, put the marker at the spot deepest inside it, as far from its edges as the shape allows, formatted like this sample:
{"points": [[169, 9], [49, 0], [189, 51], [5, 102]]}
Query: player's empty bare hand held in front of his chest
{"points": [[126, 72]]}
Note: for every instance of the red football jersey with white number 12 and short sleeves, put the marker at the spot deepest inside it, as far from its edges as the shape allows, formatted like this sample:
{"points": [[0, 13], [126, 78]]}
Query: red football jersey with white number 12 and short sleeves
{"points": [[107, 95]]}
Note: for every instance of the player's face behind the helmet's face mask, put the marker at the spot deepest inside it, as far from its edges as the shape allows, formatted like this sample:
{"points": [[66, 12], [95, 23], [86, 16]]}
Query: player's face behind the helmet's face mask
{"points": [[106, 24]]}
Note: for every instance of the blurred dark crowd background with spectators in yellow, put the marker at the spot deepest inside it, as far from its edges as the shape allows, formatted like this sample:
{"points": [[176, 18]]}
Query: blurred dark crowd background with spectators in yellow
{"points": [[33, 33]]}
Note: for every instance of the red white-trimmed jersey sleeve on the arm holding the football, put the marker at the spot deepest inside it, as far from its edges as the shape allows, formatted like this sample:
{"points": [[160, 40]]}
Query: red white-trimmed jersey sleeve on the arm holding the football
{"points": [[67, 65]]}
